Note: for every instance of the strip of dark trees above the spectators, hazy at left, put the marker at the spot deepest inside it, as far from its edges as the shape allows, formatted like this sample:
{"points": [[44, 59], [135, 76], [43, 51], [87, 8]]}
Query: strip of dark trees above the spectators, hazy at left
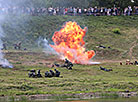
{"points": [[68, 3]]}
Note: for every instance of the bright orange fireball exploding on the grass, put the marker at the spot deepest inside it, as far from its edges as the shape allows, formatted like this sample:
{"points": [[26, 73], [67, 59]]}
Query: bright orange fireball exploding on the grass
{"points": [[69, 43]]}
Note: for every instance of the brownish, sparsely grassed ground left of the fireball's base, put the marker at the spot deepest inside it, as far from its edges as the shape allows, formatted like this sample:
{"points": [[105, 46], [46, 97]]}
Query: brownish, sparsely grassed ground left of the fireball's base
{"points": [[31, 58]]}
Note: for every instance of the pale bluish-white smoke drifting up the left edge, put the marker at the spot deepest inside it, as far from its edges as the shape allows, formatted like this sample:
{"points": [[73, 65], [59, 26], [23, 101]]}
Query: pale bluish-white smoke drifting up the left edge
{"points": [[5, 5]]}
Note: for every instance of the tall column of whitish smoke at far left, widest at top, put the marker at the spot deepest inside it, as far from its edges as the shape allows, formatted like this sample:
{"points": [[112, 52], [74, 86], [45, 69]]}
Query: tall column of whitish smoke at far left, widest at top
{"points": [[7, 13]]}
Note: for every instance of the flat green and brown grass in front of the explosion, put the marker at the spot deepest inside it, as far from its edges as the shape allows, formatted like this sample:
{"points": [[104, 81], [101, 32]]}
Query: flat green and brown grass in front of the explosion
{"points": [[82, 79]]}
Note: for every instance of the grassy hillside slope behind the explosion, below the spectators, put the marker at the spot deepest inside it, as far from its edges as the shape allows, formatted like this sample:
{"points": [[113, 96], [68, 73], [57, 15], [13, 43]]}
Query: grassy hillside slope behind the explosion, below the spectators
{"points": [[117, 32]]}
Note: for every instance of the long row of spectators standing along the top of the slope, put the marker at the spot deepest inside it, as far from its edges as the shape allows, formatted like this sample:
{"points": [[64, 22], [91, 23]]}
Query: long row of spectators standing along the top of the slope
{"points": [[96, 11]]}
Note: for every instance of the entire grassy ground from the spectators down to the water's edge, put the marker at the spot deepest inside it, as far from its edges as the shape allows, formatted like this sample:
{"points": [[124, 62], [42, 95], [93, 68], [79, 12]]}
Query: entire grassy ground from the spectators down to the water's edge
{"points": [[119, 33]]}
